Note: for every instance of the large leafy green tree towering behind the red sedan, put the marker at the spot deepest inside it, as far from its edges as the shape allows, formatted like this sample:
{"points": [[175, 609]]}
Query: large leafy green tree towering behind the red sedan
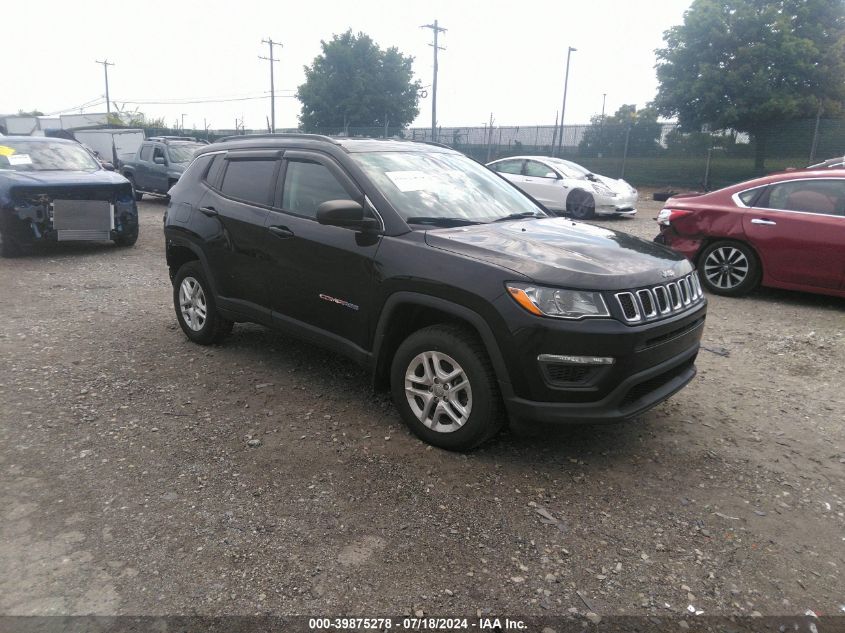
{"points": [[749, 64]]}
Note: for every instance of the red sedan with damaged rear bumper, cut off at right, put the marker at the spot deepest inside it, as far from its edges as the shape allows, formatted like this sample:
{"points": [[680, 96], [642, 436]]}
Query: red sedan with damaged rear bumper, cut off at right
{"points": [[785, 231]]}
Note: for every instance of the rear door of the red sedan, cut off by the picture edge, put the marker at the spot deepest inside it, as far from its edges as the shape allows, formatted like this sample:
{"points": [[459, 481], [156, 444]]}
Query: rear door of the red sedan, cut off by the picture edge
{"points": [[798, 227]]}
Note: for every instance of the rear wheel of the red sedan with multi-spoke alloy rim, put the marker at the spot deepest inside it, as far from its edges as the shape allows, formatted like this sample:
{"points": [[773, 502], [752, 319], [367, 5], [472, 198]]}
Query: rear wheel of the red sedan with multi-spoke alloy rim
{"points": [[729, 268]]}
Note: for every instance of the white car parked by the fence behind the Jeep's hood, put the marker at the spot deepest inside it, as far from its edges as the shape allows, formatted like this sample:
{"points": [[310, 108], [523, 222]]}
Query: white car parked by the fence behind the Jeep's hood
{"points": [[566, 187]]}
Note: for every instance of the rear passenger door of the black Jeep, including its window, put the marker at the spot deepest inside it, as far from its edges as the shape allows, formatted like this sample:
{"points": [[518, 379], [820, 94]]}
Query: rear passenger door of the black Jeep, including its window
{"points": [[238, 204]]}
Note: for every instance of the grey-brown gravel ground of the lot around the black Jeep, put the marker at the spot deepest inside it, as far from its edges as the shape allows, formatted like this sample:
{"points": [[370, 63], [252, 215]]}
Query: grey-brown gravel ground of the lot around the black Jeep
{"points": [[127, 484]]}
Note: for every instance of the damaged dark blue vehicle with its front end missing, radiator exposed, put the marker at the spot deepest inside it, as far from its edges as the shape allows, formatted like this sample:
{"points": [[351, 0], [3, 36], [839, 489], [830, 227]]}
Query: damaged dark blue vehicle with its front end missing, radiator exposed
{"points": [[54, 190]]}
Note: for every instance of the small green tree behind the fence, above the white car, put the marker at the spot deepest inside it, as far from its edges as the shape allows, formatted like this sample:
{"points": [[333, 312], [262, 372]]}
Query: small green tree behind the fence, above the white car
{"points": [[608, 137]]}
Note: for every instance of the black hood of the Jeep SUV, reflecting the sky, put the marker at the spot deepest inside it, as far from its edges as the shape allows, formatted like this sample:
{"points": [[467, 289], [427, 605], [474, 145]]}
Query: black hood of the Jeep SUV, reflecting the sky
{"points": [[560, 252]]}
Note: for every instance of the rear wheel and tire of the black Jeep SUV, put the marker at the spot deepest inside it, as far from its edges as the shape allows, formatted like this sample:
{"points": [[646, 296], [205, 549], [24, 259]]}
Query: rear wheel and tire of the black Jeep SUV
{"points": [[197, 295]]}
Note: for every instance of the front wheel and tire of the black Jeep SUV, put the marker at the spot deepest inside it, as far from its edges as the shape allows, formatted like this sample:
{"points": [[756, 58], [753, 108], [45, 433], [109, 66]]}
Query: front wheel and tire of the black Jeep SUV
{"points": [[455, 419]]}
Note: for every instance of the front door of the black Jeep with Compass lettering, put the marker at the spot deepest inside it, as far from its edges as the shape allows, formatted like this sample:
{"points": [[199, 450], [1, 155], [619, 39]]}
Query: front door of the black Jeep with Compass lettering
{"points": [[321, 276]]}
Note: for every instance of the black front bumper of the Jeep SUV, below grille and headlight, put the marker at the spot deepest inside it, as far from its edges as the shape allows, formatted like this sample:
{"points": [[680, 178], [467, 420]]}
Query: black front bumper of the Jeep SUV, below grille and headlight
{"points": [[651, 361]]}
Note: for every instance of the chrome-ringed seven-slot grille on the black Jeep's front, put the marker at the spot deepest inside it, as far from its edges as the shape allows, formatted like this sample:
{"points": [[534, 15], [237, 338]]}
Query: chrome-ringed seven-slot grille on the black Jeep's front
{"points": [[662, 300]]}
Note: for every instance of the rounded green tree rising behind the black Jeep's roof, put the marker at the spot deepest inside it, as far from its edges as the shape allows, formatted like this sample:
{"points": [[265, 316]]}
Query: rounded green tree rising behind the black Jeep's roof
{"points": [[354, 83]]}
